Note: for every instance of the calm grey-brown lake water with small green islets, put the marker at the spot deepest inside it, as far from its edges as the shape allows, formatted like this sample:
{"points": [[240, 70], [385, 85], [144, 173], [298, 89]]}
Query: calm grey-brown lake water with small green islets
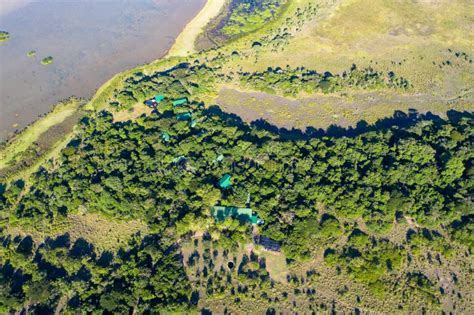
{"points": [[90, 40]]}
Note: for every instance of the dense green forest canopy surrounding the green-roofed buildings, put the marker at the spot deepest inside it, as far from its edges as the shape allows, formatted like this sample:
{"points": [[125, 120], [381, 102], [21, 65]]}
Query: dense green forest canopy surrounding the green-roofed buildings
{"points": [[310, 191]]}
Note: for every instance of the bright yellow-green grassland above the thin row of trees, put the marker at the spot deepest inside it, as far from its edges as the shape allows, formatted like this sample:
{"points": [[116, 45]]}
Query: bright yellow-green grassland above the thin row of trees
{"points": [[410, 38]]}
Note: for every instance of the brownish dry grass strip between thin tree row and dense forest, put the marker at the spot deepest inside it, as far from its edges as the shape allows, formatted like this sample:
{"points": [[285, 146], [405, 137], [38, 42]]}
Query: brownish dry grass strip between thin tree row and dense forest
{"points": [[322, 111]]}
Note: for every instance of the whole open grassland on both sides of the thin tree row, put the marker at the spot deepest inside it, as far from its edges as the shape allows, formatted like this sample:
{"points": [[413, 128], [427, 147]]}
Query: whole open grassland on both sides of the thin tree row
{"points": [[421, 41]]}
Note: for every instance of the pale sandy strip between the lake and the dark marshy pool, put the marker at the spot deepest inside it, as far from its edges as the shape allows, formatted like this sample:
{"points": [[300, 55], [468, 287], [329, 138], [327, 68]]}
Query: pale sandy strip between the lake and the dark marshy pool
{"points": [[184, 43]]}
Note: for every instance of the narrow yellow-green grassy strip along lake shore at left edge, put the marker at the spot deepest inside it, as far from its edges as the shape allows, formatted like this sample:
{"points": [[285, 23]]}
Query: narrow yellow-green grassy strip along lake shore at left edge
{"points": [[31, 134]]}
